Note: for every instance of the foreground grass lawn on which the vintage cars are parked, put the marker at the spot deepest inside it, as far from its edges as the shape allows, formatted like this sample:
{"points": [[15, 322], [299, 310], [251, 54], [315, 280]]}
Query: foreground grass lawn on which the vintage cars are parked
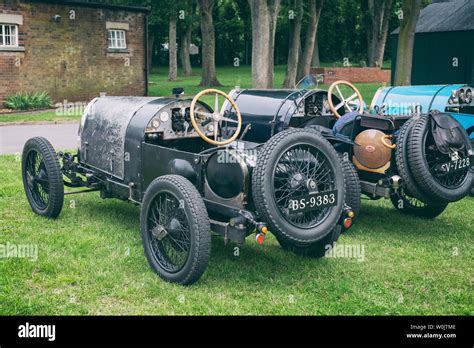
{"points": [[90, 261]]}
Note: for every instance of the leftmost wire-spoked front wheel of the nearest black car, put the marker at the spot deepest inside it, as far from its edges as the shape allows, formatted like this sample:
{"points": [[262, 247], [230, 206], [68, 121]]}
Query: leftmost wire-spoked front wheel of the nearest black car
{"points": [[42, 177]]}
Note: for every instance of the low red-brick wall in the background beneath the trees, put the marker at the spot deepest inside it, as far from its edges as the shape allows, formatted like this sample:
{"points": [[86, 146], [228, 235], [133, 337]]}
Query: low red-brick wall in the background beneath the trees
{"points": [[353, 74]]}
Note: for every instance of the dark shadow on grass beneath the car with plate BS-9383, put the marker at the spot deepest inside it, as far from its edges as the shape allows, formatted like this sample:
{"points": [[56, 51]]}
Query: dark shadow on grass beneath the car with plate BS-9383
{"points": [[250, 261]]}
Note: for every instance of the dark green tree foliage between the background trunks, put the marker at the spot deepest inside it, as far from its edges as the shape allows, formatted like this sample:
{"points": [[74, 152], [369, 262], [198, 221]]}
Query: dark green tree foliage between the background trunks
{"points": [[342, 30]]}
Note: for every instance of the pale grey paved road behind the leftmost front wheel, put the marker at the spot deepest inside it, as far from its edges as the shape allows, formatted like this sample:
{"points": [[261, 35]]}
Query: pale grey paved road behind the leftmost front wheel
{"points": [[13, 137]]}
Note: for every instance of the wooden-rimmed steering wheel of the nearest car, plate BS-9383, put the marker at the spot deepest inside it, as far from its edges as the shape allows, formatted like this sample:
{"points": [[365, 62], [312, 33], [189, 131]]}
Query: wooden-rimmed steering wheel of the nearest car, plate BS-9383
{"points": [[216, 118]]}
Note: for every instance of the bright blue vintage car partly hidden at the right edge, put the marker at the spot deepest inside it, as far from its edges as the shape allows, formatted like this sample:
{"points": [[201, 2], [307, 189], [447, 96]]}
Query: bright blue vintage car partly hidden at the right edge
{"points": [[407, 100]]}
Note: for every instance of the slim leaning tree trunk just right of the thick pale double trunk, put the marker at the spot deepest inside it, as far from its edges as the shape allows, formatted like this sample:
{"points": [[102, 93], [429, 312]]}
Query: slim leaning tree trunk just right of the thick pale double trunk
{"points": [[295, 44]]}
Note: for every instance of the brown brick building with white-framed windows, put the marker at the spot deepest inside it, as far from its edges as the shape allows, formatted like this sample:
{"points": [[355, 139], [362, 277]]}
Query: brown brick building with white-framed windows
{"points": [[74, 50]]}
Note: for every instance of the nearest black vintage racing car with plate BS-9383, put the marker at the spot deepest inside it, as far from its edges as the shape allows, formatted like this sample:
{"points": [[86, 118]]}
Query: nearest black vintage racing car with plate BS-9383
{"points": [[191, 170]]}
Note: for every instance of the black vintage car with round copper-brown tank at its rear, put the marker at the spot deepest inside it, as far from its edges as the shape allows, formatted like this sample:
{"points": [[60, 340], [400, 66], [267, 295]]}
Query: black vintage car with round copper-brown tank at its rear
{"points": [[421, 162]]}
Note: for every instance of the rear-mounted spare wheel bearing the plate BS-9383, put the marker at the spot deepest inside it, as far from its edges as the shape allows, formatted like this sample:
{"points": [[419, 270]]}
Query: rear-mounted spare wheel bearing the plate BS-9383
{"points": [[297, 165]]}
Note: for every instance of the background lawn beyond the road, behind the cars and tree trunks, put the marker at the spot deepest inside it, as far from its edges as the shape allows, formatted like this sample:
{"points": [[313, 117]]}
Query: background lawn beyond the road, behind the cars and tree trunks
{"points": [[160, 86]]}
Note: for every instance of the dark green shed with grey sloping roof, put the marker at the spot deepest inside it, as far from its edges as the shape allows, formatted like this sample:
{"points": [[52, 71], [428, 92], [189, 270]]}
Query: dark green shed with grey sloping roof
{"points": [[443, 50]]}
